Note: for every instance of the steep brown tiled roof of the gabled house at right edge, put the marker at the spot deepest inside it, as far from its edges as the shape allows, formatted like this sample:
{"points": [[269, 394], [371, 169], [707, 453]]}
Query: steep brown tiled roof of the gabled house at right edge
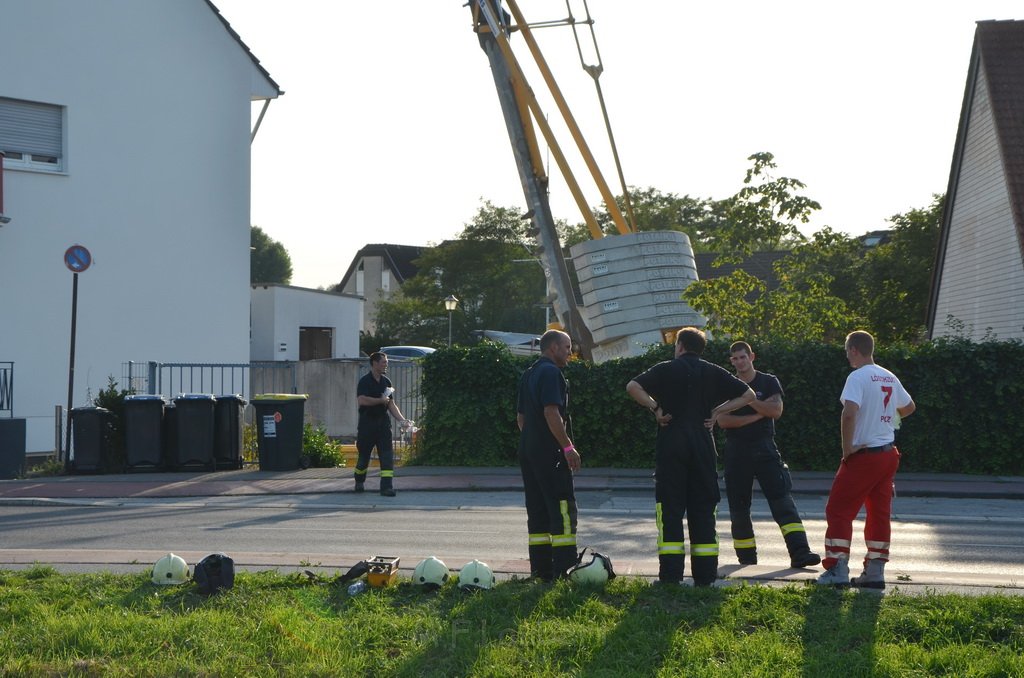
{"points": [[999, 53]]}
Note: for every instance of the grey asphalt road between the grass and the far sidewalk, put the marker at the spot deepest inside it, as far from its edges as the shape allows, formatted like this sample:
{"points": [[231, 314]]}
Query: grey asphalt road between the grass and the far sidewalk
{"points": [[942, 542]]}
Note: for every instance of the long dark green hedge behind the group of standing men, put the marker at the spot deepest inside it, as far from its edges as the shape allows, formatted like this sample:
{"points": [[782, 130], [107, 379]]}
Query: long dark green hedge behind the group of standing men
{"points": [[967, 397]]}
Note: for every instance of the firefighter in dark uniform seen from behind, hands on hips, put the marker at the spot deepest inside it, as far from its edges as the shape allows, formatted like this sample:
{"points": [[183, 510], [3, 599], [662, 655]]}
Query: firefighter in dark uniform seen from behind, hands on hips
{"points": [[681, 393]]}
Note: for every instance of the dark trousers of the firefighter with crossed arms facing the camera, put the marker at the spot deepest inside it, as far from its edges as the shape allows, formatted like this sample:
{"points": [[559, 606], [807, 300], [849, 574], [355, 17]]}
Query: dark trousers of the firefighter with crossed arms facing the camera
{"points": [[760, 459]]}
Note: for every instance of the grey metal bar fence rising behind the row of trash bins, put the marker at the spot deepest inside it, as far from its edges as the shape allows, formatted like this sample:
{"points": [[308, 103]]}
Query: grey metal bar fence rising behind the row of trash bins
{"points": [[173, 379]]}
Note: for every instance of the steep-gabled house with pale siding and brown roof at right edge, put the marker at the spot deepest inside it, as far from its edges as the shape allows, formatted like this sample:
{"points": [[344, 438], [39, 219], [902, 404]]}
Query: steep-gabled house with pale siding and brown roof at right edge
{"points": [[978, 278]]}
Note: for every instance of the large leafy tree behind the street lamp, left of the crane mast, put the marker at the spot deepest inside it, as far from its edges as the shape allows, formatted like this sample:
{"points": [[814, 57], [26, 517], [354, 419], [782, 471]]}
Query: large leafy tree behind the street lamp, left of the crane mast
{"points": [[490, 269]]}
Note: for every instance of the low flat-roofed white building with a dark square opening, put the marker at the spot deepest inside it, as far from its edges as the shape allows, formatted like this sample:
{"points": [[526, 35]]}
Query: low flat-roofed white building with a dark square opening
{"points": [[298, 324]]}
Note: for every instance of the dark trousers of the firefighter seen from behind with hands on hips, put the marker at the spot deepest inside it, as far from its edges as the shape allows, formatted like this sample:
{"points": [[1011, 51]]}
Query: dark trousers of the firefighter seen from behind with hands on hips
{"points": [[687, 486]]}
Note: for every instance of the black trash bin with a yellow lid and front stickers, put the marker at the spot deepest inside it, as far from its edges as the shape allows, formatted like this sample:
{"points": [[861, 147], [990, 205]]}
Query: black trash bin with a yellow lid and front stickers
{"points": [[279, 431]]}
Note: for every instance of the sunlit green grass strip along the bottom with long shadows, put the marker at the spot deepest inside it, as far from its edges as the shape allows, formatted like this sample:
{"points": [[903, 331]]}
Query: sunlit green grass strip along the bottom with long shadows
{"points": [[273, 624]]}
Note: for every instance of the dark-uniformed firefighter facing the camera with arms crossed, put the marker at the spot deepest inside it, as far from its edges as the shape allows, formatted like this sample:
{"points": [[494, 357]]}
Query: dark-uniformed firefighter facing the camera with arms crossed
{"points": [[751, 453]]}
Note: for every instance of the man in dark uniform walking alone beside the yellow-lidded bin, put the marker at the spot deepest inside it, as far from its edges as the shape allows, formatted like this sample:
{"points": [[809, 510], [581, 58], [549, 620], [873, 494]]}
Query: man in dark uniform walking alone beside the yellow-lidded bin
{"points": [[375, 396]]}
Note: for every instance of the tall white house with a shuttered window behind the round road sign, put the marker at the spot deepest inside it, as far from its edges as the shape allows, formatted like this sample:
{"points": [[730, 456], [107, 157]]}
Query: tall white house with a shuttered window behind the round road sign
{"points": [[127, 129]]}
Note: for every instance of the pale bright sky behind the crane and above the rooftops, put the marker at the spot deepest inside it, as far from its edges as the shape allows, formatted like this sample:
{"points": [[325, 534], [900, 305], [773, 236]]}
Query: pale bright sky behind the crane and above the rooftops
{"points": [[391, 130]]}
